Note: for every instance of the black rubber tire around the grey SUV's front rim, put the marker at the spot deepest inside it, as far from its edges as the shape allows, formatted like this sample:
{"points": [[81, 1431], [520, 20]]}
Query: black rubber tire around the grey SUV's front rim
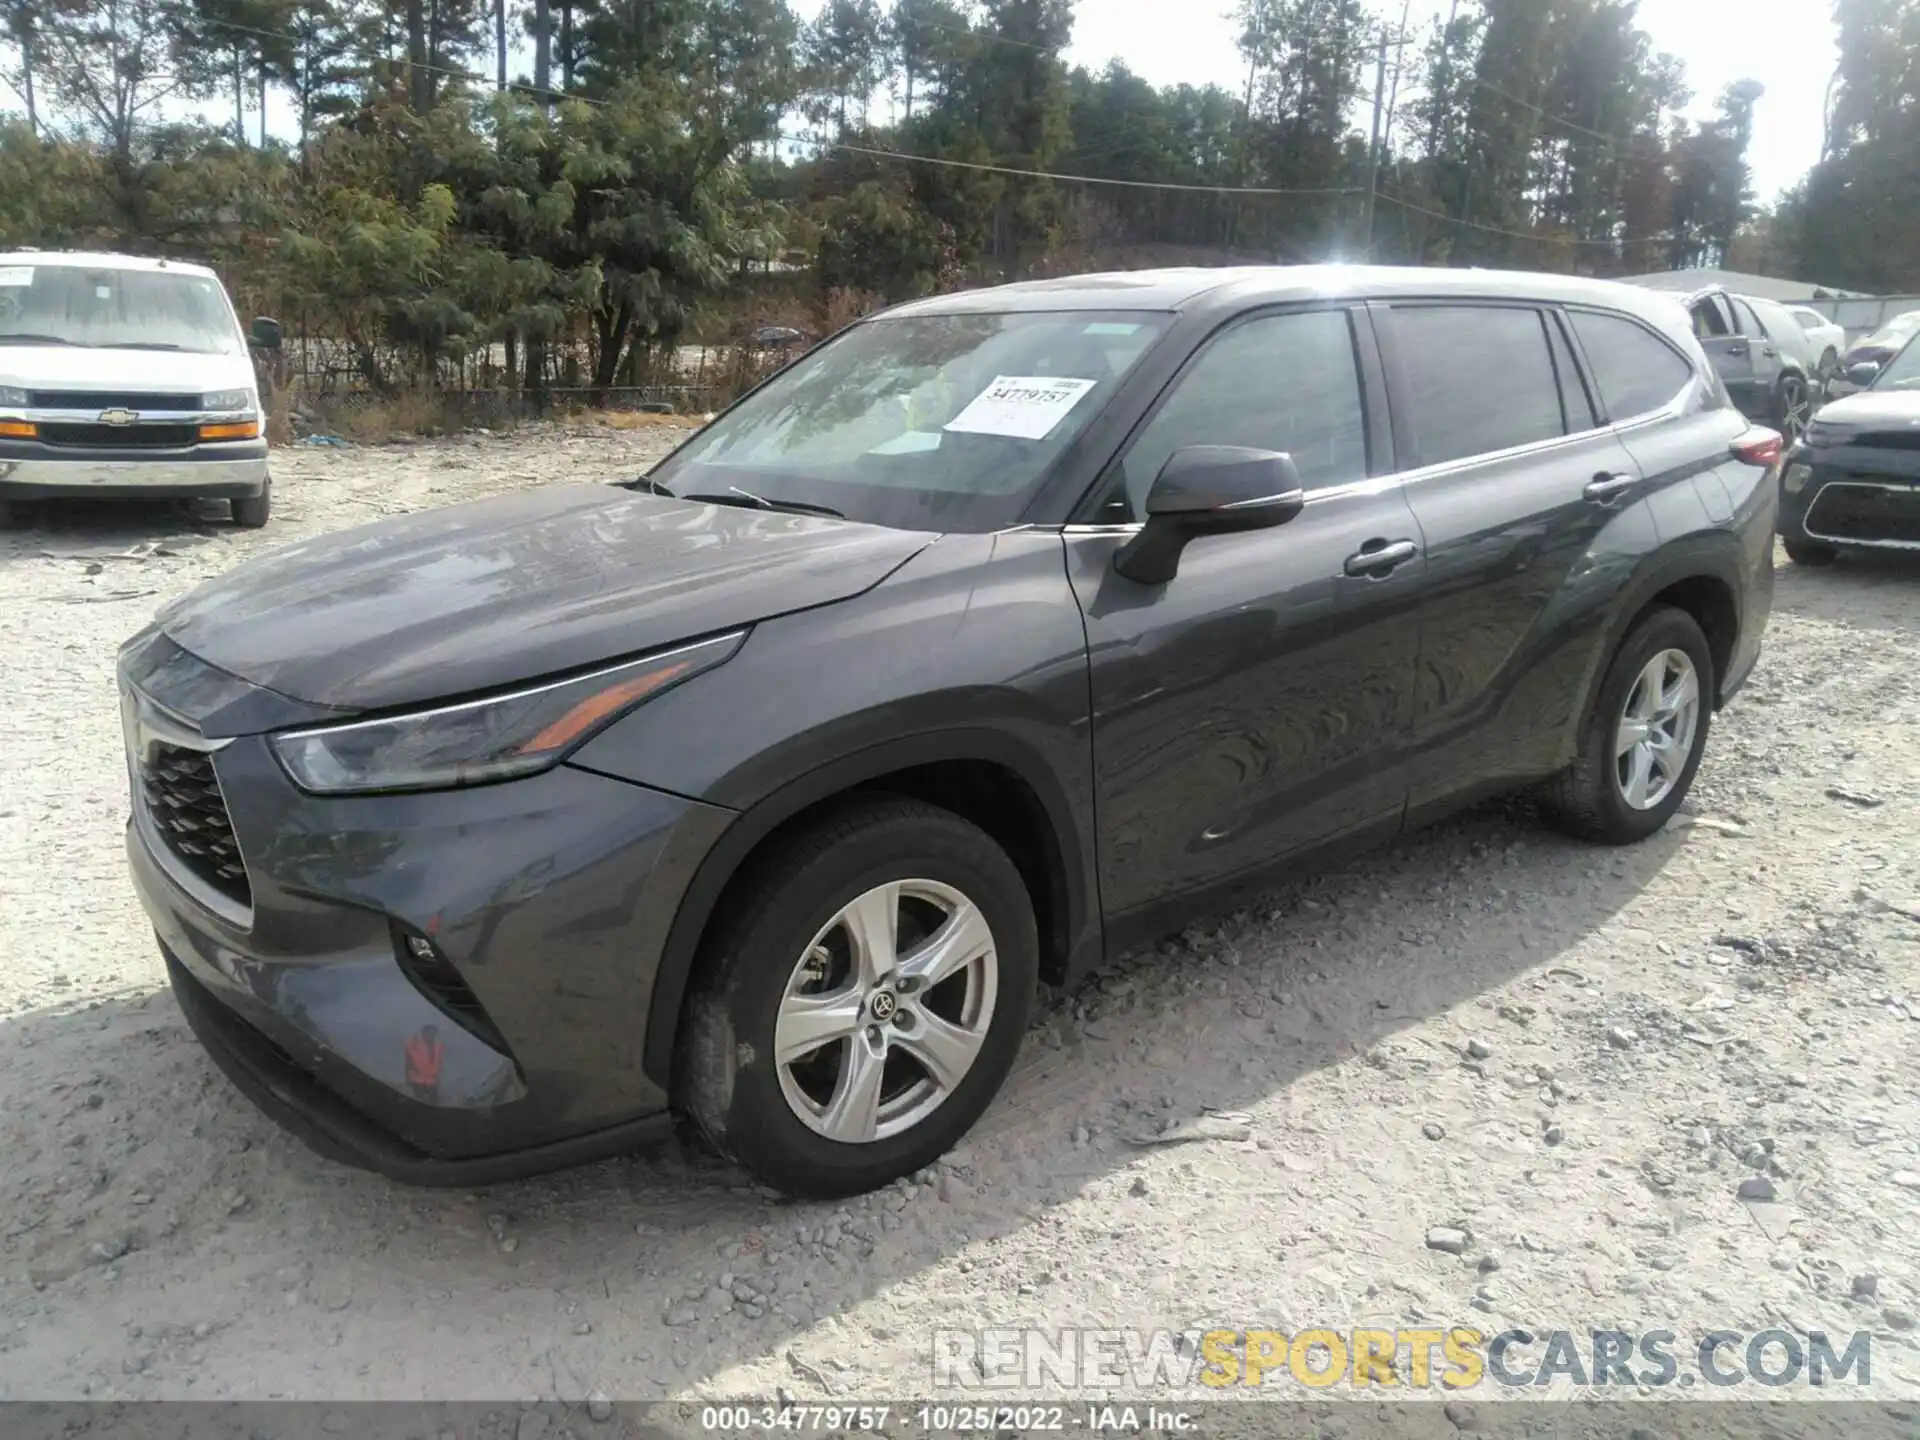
{"points": [[786, 913]]}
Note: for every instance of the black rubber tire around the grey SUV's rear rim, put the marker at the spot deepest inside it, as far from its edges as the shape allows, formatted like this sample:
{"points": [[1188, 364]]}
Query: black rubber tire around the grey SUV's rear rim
{"points": [[1589, 798]]}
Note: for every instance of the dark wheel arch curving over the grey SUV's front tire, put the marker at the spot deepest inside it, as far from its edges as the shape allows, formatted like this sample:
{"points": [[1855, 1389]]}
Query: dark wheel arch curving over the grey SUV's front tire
{"points": [[986, 777]]}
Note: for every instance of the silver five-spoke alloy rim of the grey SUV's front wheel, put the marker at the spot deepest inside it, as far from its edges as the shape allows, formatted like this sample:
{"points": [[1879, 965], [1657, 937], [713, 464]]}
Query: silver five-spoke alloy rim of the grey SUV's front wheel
{"points": [[886, 1011]]}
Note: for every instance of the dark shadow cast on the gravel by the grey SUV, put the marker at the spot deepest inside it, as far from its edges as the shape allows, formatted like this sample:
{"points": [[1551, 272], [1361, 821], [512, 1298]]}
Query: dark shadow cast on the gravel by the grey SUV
{"points": [[133, 1166]]}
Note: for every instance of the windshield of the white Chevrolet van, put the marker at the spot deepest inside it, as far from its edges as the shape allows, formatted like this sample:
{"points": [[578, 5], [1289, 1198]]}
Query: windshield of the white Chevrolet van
{"points": [[116, 310]]}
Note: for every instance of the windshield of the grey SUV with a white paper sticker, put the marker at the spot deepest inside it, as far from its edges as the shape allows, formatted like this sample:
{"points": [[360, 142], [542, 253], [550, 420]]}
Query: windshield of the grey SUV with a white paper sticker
{"points": [[921, 423]]}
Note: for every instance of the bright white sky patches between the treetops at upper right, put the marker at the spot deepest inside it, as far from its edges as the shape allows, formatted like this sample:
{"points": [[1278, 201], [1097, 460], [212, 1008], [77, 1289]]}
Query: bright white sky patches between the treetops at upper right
{"points": [[1787, 45]]}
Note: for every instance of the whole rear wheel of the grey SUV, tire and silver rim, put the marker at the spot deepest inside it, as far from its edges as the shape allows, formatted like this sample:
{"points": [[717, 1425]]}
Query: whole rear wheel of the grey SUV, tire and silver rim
{"points": [[1644, 736]]}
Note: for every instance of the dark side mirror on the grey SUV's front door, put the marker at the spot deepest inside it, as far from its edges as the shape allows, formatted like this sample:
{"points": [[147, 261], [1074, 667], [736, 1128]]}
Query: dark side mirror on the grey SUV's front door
{"points": [[1209, 491]]}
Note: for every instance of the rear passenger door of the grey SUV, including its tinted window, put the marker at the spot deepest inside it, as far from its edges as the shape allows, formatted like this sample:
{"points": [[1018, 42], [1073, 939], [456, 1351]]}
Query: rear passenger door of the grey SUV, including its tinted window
{"points": [[1514, 483]]}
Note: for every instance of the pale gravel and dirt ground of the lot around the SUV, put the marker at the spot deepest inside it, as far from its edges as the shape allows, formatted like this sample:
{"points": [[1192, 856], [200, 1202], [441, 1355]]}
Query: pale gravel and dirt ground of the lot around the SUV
{"points": [[1573, 1057]]}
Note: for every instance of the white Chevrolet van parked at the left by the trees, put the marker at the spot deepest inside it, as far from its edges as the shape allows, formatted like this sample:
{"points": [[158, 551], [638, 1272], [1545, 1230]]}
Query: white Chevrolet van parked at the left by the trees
{"points": [[128, 377]]}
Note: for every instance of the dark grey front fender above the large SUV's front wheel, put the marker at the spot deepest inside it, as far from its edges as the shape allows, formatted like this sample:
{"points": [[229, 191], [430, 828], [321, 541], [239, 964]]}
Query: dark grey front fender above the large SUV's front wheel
{"points": [[972, 652]]}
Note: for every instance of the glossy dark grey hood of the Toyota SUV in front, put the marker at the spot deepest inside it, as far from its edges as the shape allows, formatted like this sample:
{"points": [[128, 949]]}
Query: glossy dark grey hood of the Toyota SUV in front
{"points": [[540, 583]]}
